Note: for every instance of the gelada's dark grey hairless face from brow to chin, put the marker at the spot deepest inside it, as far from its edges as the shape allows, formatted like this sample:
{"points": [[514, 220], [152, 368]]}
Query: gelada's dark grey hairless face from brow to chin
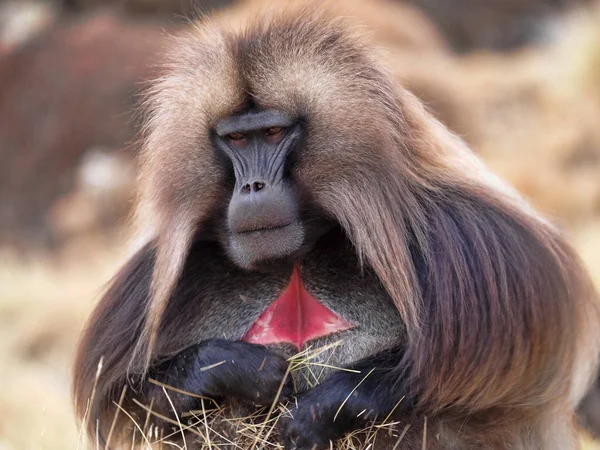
{"points": [[265, 218]]}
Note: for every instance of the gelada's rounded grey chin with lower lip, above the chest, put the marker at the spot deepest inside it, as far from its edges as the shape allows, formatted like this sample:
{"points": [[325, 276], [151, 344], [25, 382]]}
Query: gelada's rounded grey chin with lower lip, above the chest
{"points": [[258, 249]]}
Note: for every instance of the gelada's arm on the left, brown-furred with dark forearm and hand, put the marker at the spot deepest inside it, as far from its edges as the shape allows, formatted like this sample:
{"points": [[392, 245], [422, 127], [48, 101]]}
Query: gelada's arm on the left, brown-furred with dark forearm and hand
{"points": [[213, 368]]}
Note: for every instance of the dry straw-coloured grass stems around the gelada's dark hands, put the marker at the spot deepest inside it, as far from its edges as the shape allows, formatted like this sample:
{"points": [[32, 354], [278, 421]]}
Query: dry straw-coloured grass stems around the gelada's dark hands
{"points": [[215, 427]]}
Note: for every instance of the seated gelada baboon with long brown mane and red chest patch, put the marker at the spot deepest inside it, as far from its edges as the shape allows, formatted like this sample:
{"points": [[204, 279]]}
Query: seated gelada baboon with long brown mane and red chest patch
{"points": [[301, 197]]}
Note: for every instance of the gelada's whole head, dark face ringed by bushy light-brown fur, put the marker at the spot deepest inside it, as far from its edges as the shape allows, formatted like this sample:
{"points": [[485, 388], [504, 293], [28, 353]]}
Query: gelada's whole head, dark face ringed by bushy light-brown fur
{"points": [[265, 154]]}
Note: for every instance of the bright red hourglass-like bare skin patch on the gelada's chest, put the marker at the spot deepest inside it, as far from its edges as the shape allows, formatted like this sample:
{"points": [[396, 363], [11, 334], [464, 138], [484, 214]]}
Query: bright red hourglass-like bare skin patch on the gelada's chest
{"points": [[295, 317]]}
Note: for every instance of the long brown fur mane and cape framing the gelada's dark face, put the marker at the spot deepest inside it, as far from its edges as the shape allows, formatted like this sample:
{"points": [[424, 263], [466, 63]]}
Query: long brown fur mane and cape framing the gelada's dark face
{"points": [[507, 329]]}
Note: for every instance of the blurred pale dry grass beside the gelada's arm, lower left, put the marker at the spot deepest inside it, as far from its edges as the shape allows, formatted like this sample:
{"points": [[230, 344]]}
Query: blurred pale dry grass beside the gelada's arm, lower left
{"points": [[43, 304]]}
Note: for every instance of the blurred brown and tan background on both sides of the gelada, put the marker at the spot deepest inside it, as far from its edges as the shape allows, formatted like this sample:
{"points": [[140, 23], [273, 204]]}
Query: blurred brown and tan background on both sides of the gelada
{"points": [[519, 80]]}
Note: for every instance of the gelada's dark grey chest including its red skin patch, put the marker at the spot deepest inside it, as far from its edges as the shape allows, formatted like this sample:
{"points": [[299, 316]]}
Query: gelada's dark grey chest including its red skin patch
{"points": [[347, 313]]}
